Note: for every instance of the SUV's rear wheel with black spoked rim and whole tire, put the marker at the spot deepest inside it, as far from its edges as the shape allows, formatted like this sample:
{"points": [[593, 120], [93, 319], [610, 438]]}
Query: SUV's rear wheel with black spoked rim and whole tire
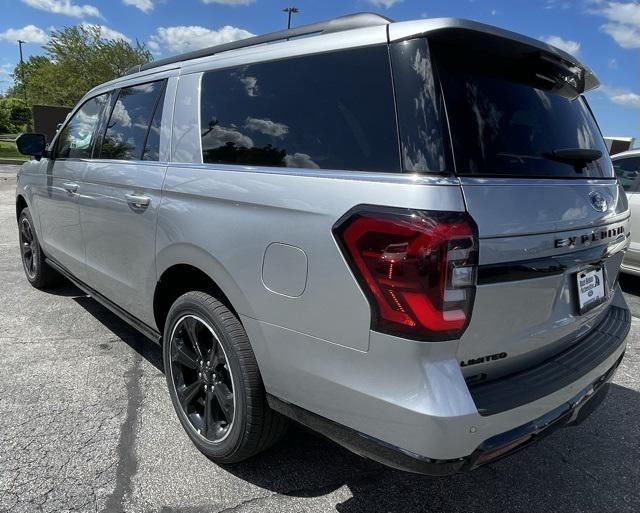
{"points": [[222, 341]]}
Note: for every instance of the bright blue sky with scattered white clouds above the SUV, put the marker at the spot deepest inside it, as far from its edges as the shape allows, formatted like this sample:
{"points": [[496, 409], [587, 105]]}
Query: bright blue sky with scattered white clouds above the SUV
{"points": [[604, 34]]}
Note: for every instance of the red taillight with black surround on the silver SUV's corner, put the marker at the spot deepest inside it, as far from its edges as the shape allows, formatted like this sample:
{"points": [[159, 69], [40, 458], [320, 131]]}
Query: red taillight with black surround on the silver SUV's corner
{"points": [[418, 268]]}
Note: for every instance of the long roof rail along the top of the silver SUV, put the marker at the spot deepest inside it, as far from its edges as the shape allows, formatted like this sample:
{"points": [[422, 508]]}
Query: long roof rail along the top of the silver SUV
{"points": [[348, 22]]}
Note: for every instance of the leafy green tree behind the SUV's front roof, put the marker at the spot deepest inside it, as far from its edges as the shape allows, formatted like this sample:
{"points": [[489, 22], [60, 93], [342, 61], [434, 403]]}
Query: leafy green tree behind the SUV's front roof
{"points": [[76, 59]]}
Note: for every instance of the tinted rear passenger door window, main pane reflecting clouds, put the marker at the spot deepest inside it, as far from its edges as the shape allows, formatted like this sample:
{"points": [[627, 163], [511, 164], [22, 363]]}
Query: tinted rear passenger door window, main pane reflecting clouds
{"points": [[129, 122]]}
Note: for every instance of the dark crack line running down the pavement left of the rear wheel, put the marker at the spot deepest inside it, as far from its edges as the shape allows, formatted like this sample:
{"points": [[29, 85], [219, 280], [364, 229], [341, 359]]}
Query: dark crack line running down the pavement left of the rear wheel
{"points": [[127, 461]]}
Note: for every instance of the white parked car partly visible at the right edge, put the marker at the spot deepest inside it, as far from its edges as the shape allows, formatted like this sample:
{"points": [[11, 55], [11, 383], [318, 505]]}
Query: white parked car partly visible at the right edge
{"points": [[627, 167]]}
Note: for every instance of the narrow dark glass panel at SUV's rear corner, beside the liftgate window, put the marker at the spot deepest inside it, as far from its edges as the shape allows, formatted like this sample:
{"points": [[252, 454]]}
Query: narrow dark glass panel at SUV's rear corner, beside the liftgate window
{"points": [[421, 116]]}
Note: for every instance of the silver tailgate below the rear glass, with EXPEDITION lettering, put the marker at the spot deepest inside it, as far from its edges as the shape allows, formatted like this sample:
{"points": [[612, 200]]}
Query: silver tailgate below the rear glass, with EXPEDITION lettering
{"points": [[526, 305]]}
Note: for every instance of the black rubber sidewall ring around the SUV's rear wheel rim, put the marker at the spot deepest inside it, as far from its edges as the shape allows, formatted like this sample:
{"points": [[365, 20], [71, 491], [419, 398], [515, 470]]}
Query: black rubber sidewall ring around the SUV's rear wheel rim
{"points": [[189, 305]]}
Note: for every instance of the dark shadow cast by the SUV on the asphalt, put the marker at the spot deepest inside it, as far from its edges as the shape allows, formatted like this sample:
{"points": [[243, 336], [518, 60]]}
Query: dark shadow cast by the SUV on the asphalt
{"points": [[592, 467]]}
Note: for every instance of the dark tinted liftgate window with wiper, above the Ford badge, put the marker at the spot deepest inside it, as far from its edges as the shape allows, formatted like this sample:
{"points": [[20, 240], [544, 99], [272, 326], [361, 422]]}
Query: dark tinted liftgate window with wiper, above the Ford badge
{"points": [[507, 119]]}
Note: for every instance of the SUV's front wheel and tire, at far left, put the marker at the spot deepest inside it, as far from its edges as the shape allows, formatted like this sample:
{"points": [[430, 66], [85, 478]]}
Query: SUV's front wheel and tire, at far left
{"points": [[39, 274]]}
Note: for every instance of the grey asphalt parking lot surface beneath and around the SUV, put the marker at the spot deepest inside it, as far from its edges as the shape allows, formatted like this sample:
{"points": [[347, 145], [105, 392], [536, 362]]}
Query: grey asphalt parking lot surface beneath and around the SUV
{"points": [[86, 424]]}
